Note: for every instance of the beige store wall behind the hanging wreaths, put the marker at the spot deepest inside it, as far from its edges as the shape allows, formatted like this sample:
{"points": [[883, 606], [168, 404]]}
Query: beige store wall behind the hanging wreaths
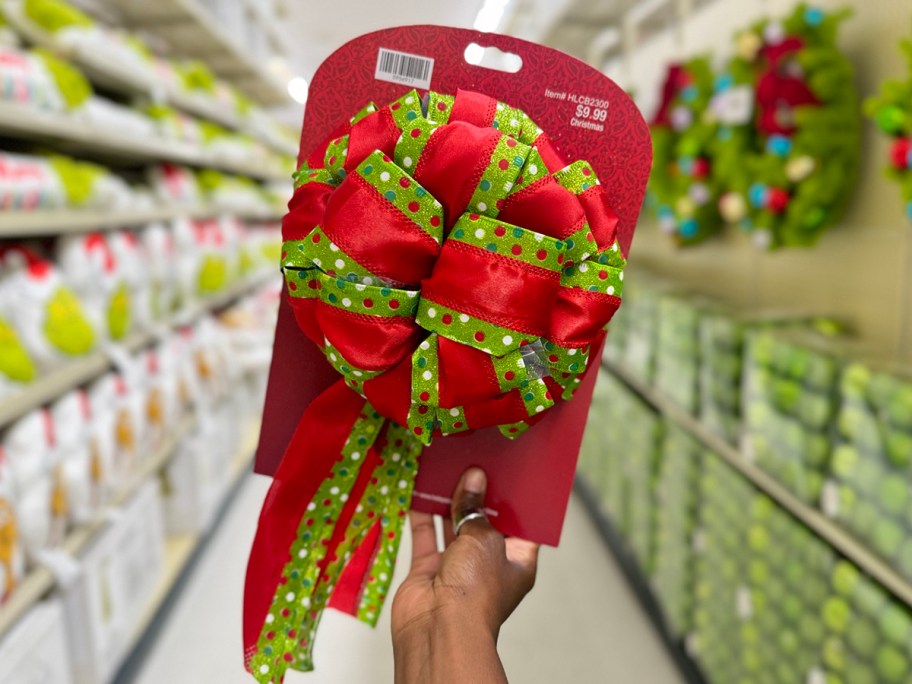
{"points": [[861, 270]]}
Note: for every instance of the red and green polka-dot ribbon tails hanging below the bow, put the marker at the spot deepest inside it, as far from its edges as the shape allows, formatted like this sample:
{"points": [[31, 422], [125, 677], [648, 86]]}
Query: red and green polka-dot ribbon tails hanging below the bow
{"points": [[334, 511]]}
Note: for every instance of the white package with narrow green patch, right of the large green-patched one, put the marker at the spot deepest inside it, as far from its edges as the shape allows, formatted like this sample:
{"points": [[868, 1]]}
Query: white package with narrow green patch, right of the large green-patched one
{"points": [[101, 279]]}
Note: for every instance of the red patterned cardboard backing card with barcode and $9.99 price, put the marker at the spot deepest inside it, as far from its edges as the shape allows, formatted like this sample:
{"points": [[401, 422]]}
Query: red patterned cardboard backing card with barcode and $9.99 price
{"points": [[588, 117]]}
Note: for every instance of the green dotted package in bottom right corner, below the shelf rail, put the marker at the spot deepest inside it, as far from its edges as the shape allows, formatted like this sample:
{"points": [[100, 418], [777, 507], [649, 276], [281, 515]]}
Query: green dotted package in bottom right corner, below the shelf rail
{"points": [[868, 632]]}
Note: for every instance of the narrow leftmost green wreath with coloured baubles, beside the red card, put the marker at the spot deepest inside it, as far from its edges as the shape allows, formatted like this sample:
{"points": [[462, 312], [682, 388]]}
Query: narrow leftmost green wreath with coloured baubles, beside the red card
{"points": [[682, 189]]}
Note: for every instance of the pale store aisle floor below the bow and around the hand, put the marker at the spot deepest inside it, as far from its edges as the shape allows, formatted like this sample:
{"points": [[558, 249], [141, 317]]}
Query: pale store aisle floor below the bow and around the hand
{"points": [[581, 624]]}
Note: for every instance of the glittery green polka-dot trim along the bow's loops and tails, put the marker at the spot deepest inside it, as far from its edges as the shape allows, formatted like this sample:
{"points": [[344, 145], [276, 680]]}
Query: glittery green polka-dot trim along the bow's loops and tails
{"points": [[315, 268]]}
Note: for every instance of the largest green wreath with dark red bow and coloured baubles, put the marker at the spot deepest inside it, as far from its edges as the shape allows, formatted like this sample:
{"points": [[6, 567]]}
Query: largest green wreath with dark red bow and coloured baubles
{"points": [[788, 174]]}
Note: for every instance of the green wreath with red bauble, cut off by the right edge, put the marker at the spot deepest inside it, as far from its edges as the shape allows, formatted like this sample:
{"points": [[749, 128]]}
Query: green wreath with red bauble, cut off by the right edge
{"points": [[892, 112]]}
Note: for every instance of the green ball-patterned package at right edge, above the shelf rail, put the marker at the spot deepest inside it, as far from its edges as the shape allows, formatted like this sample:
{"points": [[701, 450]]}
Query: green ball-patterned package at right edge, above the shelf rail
{"points": [[868, 489]]}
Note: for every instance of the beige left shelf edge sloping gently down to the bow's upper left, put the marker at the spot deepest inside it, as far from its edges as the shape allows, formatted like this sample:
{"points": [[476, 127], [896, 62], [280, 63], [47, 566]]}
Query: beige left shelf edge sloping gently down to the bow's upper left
{"points": [[72, 133]]}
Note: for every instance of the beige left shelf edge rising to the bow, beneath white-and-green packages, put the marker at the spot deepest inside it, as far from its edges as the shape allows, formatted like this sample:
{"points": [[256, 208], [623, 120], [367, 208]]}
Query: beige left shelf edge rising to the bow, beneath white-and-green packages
{"points": [[76, 373]]}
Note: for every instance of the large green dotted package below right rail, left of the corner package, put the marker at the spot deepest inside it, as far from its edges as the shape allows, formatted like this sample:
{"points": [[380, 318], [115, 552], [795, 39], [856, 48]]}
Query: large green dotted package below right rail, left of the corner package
{"points": [[761, 586]]}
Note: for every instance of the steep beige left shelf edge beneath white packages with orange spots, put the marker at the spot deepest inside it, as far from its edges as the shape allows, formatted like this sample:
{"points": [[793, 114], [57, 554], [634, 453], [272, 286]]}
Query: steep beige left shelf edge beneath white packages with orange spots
{"points": [[41, 580]]}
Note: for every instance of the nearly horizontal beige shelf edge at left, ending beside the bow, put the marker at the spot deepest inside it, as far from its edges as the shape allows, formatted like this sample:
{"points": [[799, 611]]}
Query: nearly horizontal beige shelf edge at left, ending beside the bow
{"points": [[25, 224]]}
